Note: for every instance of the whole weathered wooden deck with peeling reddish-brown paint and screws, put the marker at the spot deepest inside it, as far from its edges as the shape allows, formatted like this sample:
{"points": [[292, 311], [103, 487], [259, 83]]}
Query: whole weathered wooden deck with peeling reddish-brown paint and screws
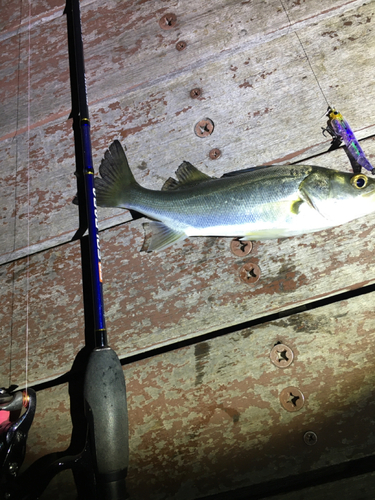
{"points": [[204, 410]]}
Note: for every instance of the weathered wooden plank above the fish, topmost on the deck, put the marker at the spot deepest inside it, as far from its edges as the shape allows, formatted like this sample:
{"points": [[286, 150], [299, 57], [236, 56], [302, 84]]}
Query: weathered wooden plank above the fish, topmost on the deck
{"points": [[255, 91]]}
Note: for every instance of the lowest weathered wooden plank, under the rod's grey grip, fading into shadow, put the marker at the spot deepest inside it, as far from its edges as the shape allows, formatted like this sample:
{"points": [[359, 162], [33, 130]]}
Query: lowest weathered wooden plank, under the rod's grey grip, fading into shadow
{"points": [[207, 418]]}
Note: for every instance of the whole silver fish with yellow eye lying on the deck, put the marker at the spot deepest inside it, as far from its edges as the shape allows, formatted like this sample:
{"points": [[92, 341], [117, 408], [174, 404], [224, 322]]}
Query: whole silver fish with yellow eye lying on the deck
{"points": [[258, 203]]}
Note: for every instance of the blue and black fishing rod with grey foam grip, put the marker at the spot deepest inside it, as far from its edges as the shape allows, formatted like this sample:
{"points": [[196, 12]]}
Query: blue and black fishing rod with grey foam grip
{"points": [[104, 383]]}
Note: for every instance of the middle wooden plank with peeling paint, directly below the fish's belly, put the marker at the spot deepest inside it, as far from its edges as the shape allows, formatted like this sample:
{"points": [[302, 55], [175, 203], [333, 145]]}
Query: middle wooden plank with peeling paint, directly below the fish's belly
{"points": [[153, 300]]}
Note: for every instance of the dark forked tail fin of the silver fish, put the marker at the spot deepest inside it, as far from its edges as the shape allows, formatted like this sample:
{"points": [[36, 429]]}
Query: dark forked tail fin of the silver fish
{"points": [[114, 186]]}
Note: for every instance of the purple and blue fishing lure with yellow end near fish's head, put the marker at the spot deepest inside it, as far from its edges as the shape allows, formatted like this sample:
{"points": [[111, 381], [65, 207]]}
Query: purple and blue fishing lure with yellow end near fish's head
{"points": [[340, 131]]}
